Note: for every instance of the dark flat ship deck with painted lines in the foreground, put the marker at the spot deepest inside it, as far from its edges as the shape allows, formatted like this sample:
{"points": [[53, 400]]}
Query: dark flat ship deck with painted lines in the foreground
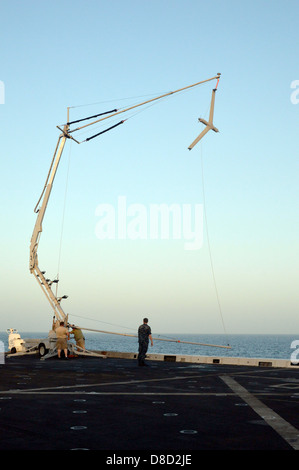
{"points": [[114, 405]]}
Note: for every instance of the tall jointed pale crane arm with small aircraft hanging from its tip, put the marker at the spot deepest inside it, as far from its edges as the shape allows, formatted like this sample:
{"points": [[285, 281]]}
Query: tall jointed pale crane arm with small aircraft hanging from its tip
{"points": [[67, 133]]}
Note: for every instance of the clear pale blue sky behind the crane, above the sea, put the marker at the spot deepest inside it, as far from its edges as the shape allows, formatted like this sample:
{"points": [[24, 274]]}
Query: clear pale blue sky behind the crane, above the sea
{"points": [[56, 54]]}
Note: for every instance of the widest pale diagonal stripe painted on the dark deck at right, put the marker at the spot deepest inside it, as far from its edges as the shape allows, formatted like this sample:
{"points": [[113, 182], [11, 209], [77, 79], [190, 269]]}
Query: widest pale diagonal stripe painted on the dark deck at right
{"points": [[288, 432]]}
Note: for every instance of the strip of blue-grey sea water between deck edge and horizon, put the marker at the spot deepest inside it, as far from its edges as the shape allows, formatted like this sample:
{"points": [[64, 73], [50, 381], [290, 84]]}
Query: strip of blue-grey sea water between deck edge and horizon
{"points": [[242, 345]]}
